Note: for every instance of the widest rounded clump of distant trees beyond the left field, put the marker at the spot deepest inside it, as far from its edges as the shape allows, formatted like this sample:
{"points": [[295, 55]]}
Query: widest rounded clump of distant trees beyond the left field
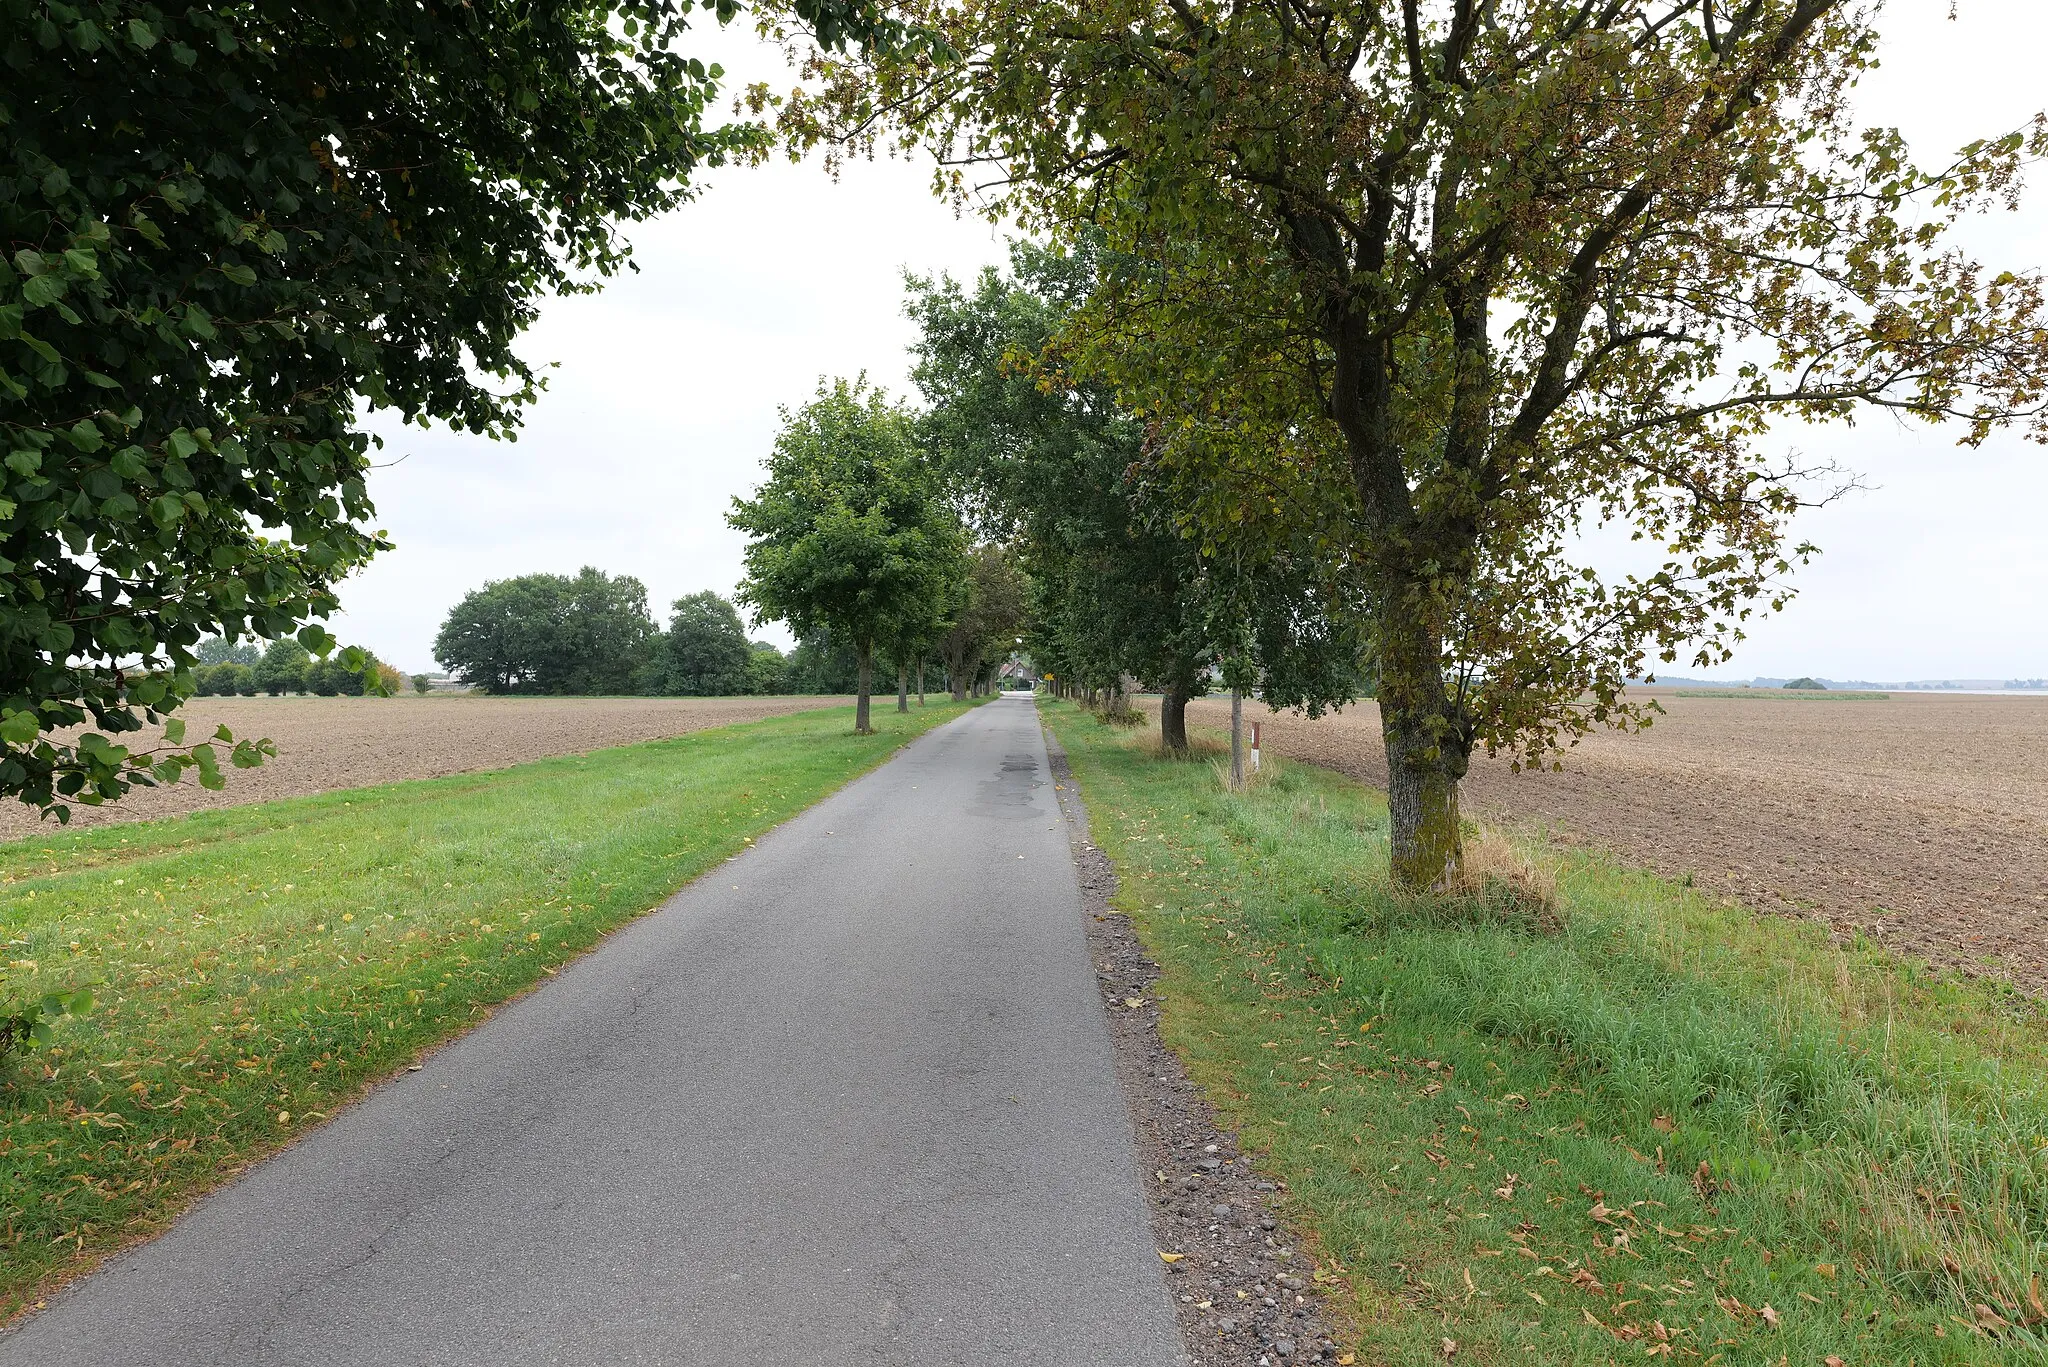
{"points": [[552, 634]]}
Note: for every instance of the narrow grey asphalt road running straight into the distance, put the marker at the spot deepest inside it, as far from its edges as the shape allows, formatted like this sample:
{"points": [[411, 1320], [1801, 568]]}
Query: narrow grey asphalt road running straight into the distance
{"points": [[845, 1100]]}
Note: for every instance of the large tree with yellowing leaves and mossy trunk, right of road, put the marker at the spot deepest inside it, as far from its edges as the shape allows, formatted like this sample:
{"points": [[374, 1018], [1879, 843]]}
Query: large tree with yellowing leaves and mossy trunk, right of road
{"points": [[1428, 288]]}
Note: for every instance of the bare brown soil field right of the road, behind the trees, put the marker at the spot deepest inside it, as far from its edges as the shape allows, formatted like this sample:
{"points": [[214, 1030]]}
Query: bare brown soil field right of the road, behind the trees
{"points": [[1920, 821]]}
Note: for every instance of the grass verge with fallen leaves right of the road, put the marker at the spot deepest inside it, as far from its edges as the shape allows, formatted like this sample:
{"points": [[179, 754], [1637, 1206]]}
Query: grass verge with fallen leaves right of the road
{"points": [[1469, 1116]]}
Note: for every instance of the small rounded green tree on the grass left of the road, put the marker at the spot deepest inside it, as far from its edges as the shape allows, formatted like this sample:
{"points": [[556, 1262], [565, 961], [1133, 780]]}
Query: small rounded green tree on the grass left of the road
{"points": [[851, 532]]}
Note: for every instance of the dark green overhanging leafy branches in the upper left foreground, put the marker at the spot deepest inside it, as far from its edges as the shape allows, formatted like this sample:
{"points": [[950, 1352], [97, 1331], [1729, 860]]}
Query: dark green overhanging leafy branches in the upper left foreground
{"points": [[230, 231]]}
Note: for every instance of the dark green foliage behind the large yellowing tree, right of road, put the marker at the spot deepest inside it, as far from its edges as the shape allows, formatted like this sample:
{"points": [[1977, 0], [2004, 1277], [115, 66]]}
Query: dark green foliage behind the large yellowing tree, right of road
{"points": [[1060, 466]]}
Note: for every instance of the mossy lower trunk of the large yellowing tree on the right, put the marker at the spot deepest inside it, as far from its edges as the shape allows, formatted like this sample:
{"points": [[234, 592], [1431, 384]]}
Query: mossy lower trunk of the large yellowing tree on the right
{"points": [[1428, 753]]}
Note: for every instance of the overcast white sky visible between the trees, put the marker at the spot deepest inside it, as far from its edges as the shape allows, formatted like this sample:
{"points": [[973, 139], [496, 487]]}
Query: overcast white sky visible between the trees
{"points": [[669, 384]]}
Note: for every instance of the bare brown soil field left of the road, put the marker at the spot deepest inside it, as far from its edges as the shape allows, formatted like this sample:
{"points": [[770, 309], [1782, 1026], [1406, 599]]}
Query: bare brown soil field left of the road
{"points": [[333, 743]]}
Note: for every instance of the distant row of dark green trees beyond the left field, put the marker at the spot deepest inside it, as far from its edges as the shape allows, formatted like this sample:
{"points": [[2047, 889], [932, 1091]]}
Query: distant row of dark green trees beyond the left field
{"points": [[593, 634]]}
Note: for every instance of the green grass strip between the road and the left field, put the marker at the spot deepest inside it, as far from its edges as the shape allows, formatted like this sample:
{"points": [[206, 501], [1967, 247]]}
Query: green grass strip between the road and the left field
{"points": [[259, 966]]}
